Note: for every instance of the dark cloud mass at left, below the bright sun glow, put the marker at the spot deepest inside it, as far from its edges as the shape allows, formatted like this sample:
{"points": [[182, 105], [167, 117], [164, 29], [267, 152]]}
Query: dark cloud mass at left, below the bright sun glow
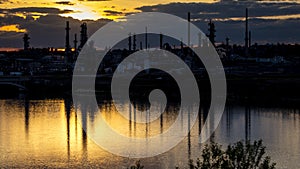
{"points": [[47, 31]]}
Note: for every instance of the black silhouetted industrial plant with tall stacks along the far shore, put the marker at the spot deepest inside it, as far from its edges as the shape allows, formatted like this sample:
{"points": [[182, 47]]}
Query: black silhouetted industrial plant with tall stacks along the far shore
{"points": [[51, 68]]}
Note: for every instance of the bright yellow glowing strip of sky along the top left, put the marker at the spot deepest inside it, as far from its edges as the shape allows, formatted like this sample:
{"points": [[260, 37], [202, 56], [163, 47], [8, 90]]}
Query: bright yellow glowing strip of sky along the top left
{"points": [[92, 10]]}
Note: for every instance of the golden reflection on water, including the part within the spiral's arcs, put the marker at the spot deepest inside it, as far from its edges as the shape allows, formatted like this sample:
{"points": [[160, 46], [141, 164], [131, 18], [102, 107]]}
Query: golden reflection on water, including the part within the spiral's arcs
{"points": [[49, 133]]}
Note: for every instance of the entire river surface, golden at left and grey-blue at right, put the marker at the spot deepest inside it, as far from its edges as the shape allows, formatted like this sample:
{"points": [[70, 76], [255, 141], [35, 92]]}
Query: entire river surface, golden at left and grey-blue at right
{"points": [[47, 133]]}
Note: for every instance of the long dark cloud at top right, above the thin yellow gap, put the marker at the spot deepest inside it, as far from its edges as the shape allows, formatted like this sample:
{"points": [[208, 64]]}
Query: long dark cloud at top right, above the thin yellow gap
{"points": [[226, 9]]}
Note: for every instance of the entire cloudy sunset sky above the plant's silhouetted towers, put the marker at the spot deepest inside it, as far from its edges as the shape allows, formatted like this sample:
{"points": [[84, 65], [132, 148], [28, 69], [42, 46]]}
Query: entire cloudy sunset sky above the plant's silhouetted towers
{"points": [[44, 20]]}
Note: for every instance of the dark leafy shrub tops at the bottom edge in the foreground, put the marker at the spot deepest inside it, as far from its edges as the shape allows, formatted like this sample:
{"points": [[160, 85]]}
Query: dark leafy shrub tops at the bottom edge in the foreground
{"points": [[236, 156]]}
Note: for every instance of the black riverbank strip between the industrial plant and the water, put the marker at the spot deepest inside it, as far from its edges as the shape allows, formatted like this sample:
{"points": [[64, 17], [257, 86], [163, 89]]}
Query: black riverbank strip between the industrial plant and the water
{"points": [[267, 90]]}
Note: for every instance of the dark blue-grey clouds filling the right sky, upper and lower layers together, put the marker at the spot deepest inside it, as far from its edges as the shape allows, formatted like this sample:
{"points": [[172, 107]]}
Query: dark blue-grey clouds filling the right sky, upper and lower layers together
{"points": [[263, 30]]}
